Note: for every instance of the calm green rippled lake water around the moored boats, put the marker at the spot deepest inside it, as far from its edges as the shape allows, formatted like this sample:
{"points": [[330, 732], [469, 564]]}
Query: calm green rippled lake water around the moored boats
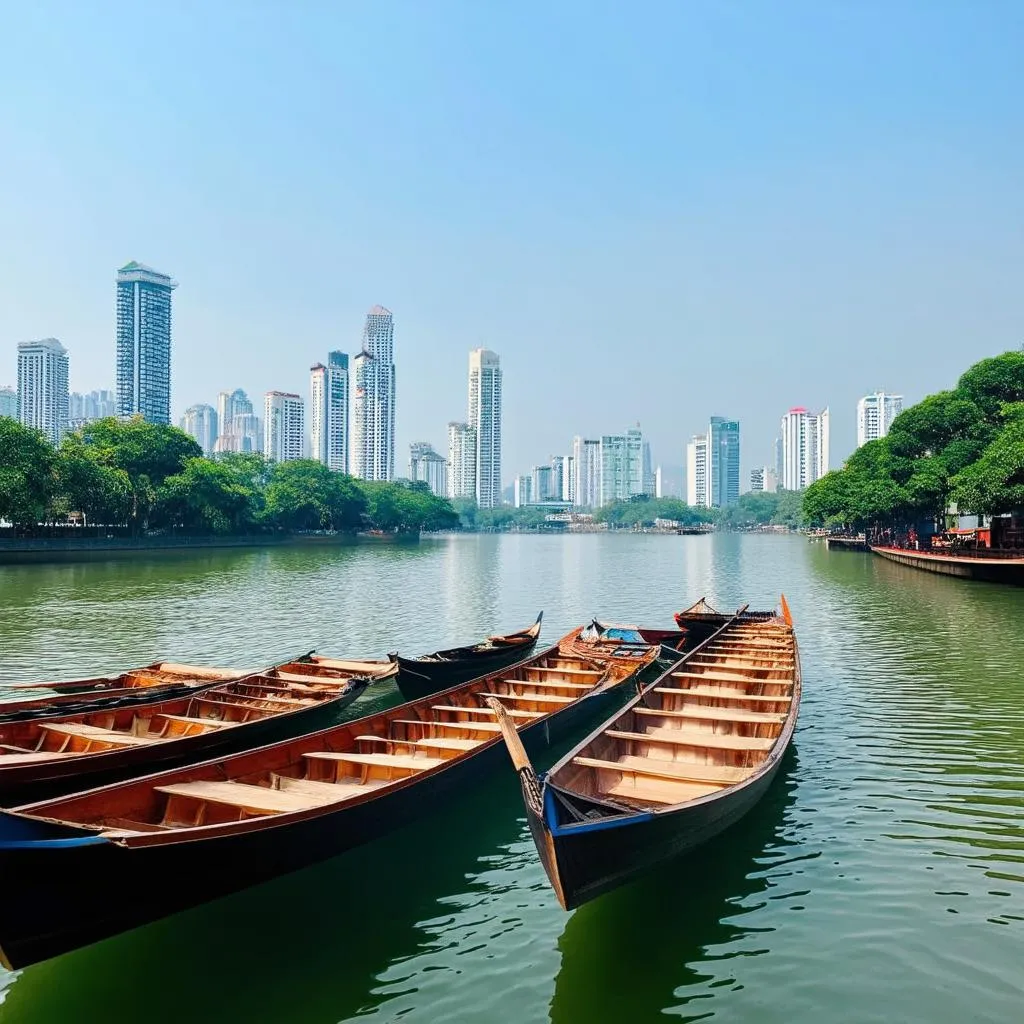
{"points": [[881, 880]]}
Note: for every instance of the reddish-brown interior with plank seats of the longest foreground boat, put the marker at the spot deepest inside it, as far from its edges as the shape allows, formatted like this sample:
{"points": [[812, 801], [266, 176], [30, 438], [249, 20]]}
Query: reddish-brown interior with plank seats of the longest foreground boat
{"points": [[344, 763]]}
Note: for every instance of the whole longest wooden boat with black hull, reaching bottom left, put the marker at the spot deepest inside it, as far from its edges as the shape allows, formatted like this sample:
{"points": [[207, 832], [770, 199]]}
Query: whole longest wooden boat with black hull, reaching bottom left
{"points": [[157, 845]]}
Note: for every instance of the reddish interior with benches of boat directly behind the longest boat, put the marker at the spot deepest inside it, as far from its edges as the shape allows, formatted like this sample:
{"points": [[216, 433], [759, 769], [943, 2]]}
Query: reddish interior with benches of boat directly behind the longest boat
{"points": [[219, 708]]}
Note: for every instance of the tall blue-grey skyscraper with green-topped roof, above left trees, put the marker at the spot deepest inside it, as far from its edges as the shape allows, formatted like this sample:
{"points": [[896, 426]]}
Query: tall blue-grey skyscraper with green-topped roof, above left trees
{"points": [[144, 371]]}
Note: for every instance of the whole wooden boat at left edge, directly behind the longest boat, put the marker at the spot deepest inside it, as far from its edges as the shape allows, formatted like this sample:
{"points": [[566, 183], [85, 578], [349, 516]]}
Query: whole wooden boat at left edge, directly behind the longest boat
{"points": [[46, 757]]}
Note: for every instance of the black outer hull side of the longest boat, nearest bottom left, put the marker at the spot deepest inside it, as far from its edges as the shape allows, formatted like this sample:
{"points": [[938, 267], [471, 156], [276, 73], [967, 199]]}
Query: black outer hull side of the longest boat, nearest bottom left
{"points": [[52, 912]]}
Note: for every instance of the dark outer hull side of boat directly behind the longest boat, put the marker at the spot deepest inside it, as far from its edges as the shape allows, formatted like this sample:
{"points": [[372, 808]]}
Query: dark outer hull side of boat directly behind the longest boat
{"points": [[33, 783]]}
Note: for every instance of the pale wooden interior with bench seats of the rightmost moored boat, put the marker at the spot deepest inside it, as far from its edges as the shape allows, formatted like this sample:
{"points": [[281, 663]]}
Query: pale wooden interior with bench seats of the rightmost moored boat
{"points": [[707, 727]]}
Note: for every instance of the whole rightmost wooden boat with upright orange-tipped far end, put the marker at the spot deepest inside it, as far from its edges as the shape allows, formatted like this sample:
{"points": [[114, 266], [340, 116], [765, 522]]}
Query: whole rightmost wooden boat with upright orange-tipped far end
{"points": [[684, 761]]}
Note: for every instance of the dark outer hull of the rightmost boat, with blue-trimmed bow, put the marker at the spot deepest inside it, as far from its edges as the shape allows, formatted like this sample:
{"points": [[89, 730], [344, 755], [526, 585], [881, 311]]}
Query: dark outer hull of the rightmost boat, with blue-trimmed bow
{"points": [[584, 862]]}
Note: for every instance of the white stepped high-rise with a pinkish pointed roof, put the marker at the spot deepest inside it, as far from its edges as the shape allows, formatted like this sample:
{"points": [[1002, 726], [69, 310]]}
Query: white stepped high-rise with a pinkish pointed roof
{"points": [[372, 453]]}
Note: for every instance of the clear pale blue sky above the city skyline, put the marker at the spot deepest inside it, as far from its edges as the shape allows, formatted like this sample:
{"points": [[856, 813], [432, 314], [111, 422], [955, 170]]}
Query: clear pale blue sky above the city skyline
{"points": [[654, 212]]}
